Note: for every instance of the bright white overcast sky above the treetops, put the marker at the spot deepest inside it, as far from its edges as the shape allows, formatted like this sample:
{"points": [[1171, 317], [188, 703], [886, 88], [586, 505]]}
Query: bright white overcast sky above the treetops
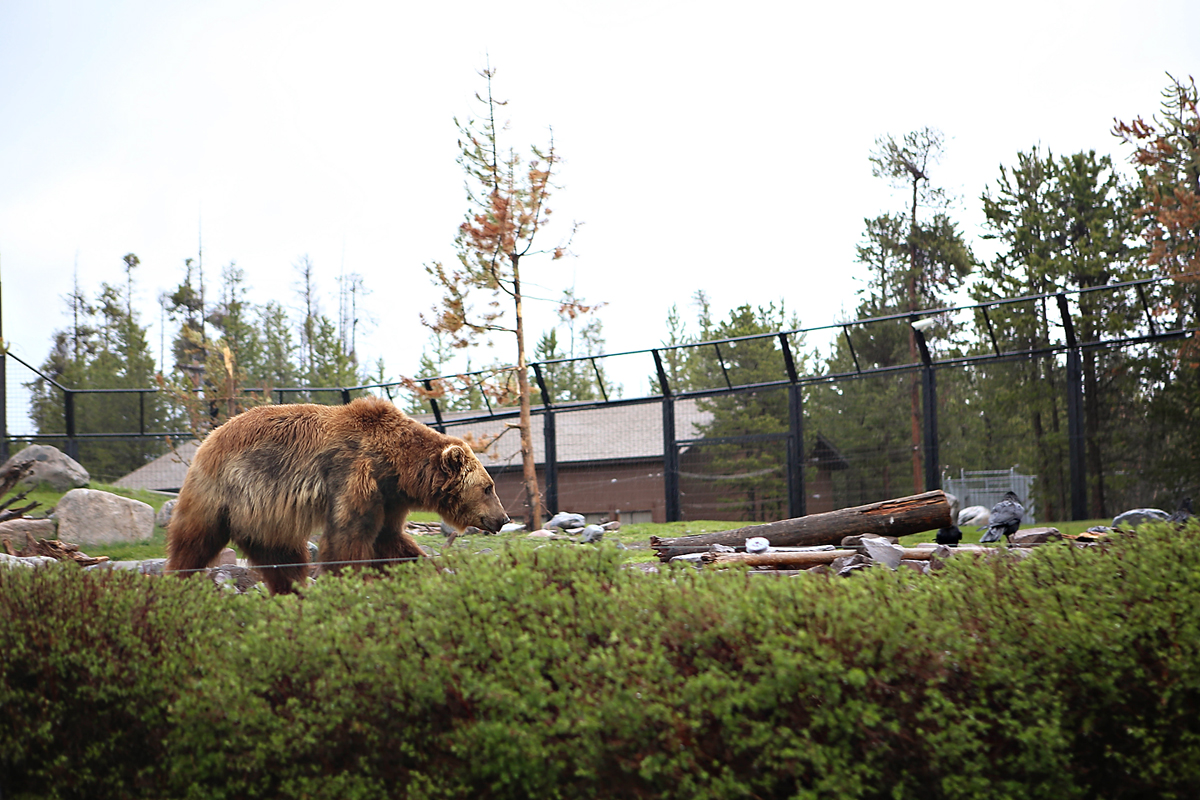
{"points": [[707, 147]]}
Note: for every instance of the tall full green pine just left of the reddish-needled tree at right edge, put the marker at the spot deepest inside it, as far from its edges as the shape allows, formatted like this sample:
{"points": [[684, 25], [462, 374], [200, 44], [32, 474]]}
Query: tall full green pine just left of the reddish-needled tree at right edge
{"points": [[1065, 224]]}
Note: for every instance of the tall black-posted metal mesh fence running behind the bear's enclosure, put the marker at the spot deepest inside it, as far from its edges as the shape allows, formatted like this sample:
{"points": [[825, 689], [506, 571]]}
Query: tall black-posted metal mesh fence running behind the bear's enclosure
{"points": [[753, 429]]}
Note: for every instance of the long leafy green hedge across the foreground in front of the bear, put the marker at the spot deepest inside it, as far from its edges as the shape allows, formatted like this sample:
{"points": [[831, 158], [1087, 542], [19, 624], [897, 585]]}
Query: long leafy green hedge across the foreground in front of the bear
{"points": [[556, 673]]}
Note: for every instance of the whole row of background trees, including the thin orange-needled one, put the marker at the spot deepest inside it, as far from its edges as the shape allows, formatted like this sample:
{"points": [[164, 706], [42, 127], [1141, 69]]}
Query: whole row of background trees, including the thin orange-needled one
{"points": [[1059, 222]]}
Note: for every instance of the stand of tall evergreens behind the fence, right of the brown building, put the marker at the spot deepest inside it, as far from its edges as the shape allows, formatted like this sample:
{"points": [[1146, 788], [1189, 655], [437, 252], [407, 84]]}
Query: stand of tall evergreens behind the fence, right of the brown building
{"points": [[1061, 224]]}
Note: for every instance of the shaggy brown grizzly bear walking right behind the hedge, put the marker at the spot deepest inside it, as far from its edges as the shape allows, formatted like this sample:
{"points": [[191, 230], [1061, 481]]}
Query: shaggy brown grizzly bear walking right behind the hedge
{"points": [[272, 476]]}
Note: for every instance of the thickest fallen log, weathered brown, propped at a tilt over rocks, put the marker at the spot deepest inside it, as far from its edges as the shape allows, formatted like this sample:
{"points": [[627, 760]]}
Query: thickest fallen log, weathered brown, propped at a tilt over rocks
{"points": [[898, 518]]}
